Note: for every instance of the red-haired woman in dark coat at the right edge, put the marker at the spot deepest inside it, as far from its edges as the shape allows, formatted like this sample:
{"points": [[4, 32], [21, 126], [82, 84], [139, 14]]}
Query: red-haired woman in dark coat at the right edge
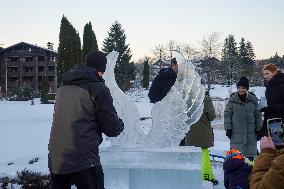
{"points": [[274, 83]]}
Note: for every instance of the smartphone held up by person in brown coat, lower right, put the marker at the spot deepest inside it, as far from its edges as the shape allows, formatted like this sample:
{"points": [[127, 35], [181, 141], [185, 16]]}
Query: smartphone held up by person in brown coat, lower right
{"points": [[275, 130]]}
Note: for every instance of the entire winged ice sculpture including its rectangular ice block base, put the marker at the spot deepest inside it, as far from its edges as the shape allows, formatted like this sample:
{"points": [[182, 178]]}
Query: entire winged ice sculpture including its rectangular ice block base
{"points": [[155, 161]]}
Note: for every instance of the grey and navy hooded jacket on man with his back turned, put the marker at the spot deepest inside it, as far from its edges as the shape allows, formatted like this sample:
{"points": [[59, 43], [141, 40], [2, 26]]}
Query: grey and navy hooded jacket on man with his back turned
{"points": [[83, 111]]}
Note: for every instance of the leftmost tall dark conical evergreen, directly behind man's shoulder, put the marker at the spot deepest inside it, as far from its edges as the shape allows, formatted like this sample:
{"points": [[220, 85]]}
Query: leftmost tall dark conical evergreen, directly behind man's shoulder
{"points": [[69, 48]]}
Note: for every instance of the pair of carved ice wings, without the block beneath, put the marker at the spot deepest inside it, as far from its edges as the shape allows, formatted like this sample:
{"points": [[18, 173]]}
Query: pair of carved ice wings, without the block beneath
{"points": [[172, 116]]}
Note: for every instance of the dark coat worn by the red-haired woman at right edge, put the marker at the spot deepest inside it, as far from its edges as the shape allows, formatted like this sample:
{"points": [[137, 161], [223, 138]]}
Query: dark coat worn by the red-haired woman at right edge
{"points": [[275, 100]]}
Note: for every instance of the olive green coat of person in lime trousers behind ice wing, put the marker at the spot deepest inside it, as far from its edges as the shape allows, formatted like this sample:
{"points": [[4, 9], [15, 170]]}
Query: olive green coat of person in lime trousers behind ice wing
{"points": [[201, 133]]}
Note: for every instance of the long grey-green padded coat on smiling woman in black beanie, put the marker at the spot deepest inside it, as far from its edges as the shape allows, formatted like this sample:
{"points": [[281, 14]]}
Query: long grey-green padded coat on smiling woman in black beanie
{"points": [[245, 121]]}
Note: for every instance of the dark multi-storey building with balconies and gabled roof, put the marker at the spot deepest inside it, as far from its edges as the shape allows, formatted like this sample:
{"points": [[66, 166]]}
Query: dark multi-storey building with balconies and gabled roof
{"points": [[26, 63]]}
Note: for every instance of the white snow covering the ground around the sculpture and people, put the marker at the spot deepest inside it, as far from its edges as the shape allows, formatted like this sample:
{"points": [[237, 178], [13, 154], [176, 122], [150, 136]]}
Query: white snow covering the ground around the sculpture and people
{"points": [[25, 128]]}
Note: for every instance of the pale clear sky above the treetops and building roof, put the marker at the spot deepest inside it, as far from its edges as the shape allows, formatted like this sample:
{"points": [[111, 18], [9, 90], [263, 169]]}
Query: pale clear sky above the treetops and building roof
{"points": [[147, 22]]}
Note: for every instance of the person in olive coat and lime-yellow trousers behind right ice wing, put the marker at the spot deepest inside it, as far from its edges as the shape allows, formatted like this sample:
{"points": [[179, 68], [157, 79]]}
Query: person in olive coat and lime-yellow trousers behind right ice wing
{"points": [[201, 135]]}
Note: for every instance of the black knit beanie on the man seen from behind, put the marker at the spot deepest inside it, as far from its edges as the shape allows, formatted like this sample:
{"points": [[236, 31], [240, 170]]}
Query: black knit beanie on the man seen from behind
{"points": [[96, 59]]}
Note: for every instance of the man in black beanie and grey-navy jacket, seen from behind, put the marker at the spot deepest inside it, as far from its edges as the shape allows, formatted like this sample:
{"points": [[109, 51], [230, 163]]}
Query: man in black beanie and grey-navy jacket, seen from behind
{"points": [[83, 111]]}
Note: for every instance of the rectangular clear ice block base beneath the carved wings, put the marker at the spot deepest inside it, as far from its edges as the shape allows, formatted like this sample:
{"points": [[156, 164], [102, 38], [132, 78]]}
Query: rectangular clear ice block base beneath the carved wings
{"points": [[167, 168]]}
